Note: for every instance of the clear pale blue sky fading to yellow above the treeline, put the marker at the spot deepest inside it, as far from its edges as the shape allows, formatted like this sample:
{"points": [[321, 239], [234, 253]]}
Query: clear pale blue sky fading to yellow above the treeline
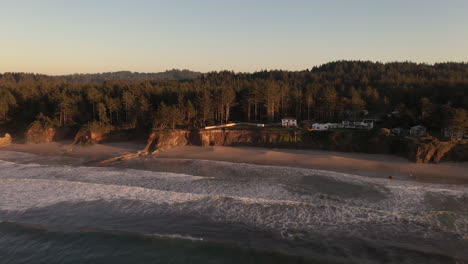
{"points": [[70, 36]]}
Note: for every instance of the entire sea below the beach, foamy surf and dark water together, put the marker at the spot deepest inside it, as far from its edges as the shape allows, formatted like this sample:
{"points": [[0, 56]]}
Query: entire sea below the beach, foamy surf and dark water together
{"points": [[218, 212]]}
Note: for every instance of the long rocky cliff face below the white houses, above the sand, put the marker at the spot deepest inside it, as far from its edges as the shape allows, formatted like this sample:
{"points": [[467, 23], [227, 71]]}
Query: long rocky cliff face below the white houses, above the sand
{"points": [[426, 150]]}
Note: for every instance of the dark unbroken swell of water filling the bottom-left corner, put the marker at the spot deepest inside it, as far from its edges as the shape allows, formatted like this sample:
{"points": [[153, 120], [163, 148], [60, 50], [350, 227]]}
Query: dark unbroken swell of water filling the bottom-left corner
{"points": [[26, 243]]}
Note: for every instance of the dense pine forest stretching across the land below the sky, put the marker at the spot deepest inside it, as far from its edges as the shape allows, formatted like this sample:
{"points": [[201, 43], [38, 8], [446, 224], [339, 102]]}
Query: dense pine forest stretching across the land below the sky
{"points": [[432, 95]]}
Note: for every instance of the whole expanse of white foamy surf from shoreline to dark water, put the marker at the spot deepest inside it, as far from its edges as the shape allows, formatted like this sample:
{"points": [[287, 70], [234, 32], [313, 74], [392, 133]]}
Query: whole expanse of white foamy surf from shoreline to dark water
{"points": [[265, 202]]}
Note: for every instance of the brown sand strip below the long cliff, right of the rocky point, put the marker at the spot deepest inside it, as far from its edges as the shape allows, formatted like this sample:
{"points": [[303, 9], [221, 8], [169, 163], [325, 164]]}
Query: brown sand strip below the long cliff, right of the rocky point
{"points": [[354, 163]]}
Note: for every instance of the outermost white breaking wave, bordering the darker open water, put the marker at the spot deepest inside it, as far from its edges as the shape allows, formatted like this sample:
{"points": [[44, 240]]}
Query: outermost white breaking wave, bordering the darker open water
{"points": [[286, 216]]}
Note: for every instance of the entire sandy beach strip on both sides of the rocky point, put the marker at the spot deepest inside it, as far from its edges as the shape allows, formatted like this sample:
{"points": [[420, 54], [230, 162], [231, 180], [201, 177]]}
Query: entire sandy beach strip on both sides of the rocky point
{"points": [[370, 165]]}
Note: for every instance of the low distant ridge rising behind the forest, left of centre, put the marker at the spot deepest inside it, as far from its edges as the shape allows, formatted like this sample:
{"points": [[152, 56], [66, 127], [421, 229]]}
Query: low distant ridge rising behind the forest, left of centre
{"points": [[171, 75]]}
